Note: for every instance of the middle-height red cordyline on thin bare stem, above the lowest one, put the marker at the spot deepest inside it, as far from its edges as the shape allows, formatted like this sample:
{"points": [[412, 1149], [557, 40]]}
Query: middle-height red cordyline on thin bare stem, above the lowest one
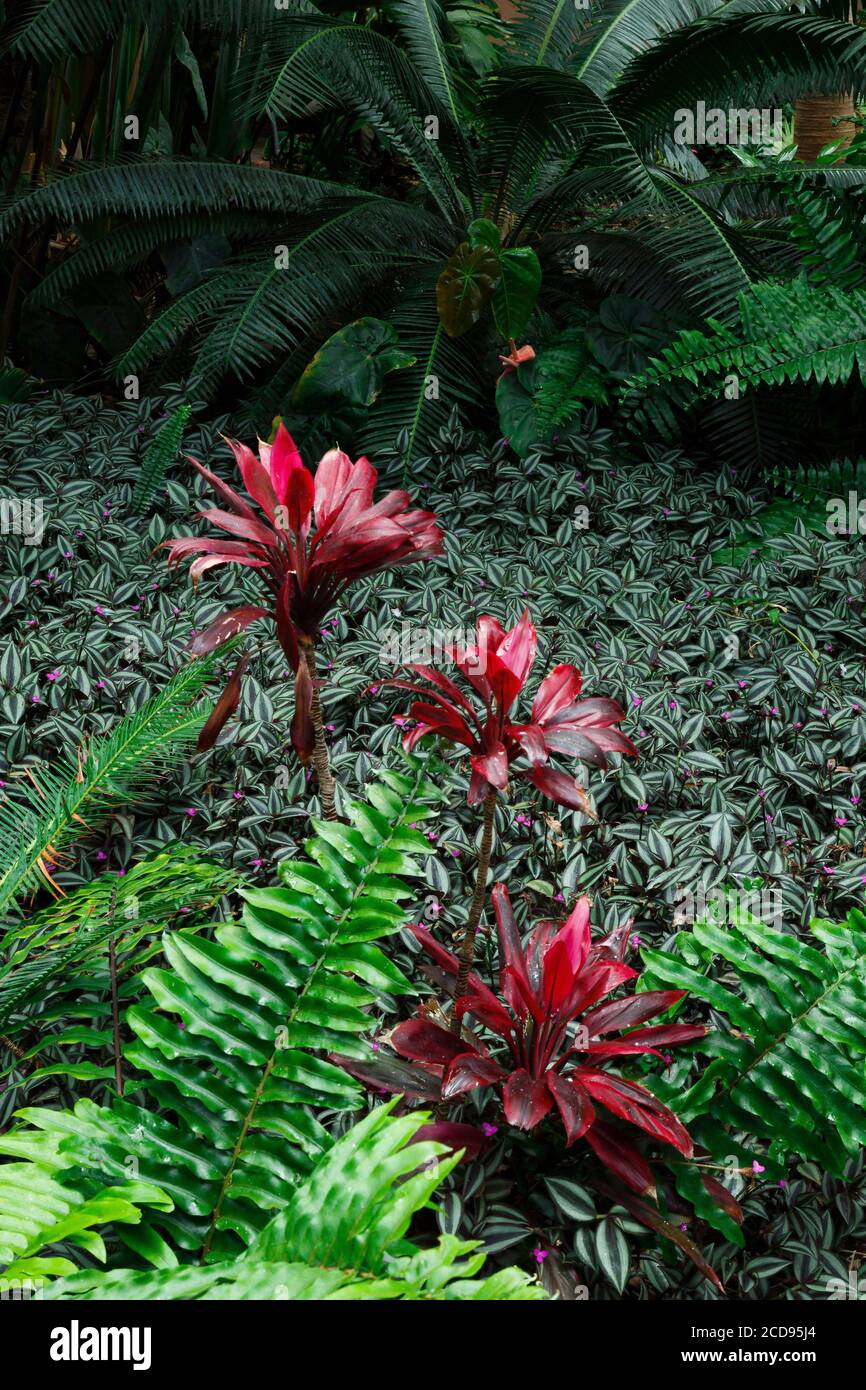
{"points": [[497, 668]]}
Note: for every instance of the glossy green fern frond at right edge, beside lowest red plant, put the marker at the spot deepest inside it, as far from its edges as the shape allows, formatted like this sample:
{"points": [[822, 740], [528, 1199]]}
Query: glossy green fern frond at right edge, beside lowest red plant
{"points": [[786, 1072]]}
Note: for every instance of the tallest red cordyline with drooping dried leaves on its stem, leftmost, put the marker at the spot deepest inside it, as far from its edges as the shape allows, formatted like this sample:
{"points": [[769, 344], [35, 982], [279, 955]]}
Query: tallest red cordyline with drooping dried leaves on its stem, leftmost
{"points": [[320, 533]]}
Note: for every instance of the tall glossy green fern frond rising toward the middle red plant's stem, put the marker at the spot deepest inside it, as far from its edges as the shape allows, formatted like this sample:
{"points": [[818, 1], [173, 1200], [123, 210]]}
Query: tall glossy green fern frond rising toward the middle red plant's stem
{"points": [[227, 1050]]}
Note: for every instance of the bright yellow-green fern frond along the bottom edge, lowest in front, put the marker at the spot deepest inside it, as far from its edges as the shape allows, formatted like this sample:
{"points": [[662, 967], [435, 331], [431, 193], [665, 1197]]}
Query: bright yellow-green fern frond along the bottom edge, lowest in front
{"points": [[354, 1249]]}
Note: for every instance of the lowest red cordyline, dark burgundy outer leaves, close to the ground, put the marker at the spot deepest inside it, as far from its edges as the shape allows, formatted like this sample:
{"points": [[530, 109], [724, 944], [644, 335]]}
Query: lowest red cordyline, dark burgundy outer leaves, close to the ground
{"points": [[558, 1039]]}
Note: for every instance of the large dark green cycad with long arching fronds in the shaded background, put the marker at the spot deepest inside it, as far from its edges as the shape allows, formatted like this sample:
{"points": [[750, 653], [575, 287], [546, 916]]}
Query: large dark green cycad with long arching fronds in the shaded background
{"points": [[566, 142]]}
